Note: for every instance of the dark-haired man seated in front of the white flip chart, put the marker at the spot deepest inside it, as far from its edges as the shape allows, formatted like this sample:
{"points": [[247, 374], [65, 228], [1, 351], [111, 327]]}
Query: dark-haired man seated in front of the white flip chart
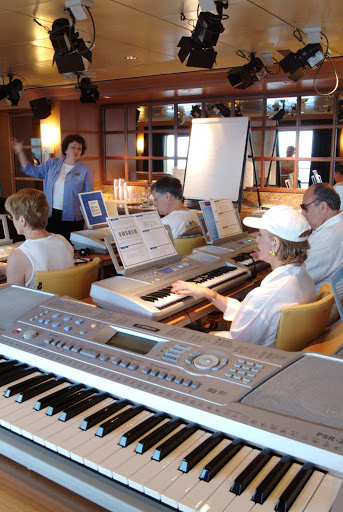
{"points": [[167, 194]]}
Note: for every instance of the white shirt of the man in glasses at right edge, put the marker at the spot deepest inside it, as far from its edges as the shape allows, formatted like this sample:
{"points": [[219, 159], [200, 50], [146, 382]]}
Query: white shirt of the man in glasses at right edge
{"points": [[325, 256]]}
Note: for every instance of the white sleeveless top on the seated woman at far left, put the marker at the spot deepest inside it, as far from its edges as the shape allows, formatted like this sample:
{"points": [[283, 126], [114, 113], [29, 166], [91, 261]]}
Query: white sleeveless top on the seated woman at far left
{"points": [[50, 253]]}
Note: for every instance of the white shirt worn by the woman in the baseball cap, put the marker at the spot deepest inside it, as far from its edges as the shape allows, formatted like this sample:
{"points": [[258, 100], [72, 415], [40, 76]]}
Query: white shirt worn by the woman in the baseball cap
{"points": [[256, 319]]}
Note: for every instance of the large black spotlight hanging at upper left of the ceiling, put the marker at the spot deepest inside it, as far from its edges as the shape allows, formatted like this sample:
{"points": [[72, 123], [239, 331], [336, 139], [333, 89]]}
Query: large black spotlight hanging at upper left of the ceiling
{"points": [[71, 51]]}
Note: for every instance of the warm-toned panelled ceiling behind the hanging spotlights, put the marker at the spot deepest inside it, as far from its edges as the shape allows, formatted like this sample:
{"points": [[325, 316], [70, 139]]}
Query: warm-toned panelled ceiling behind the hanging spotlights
{"points": [[150, 31]]}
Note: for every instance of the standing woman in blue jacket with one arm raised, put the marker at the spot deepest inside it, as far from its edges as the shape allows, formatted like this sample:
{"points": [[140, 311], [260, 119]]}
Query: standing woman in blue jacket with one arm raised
{"points": [[64, 178]]}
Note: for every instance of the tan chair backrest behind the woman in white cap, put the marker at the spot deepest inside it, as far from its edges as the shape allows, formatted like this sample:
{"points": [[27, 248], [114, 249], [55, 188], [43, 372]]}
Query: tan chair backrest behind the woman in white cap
{"points": [[303, 323]]}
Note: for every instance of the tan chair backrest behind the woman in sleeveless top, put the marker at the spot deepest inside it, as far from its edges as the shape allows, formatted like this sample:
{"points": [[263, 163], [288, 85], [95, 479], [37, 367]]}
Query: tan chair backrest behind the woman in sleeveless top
{"points": [[74, 282]]}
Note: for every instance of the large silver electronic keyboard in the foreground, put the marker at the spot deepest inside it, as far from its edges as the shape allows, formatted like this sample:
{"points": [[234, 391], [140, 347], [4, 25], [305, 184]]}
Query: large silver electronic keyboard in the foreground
{"points": [[142, 416]]}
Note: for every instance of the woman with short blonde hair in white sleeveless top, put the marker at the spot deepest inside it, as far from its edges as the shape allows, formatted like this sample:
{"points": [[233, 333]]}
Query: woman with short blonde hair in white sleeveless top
{"points": [[41, 251]]}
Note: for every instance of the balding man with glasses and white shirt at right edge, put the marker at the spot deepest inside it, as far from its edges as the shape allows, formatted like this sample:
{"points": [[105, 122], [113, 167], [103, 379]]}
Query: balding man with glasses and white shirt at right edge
{"points": [[321, 208]]}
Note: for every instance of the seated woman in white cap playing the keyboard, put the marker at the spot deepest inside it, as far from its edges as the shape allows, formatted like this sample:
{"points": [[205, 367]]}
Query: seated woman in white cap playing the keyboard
{"points": [[282, 242]]}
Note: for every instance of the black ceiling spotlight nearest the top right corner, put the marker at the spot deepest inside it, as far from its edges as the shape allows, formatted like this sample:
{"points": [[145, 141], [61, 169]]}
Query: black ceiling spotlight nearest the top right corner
{"points": [[295, 63]]}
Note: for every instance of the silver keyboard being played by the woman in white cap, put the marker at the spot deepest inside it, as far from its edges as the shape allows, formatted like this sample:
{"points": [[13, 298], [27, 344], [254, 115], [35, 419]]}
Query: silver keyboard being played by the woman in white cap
{"points": [[147, 292]]}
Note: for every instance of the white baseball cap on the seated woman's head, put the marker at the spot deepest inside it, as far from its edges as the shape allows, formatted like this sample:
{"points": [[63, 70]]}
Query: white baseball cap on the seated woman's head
{"points": [[283, 221]]}
